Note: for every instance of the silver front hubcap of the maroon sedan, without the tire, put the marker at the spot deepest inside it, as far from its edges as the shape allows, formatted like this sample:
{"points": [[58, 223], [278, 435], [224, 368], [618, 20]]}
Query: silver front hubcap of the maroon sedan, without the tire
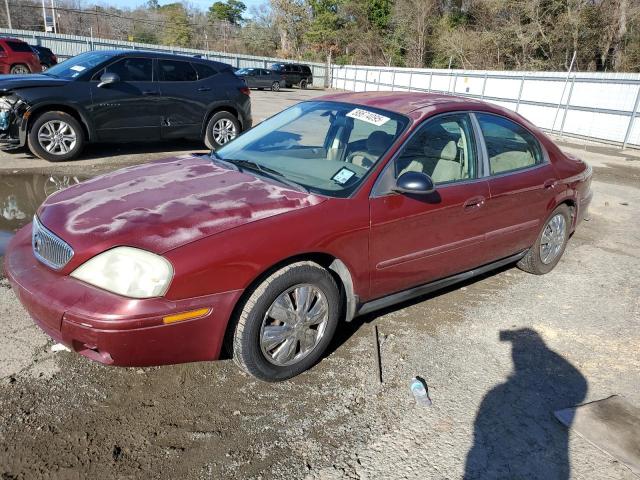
{"points": [[294, 325]]}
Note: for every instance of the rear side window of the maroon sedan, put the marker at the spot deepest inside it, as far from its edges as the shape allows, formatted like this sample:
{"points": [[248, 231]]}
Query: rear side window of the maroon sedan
{"points": [[509, 146]]}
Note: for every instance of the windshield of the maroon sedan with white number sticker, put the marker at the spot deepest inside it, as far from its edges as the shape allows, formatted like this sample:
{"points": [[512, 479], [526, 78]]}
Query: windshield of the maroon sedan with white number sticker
{"points": [[325, 147]]}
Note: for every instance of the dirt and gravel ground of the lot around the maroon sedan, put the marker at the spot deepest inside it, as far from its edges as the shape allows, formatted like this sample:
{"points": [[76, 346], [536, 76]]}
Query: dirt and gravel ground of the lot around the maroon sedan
{"points": [[499, 354]]}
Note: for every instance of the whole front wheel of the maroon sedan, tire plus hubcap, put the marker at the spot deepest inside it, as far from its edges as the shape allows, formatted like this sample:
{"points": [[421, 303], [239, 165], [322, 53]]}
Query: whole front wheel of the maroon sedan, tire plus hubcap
{"points": [[270, 361]]}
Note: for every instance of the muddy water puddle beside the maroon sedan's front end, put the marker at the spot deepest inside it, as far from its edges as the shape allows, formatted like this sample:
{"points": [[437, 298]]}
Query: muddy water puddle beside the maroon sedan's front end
{"points": [[20, 197]]}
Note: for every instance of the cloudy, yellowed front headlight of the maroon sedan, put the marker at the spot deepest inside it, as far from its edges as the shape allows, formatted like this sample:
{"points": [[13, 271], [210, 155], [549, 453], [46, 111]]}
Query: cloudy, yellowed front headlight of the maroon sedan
{"points": [[127, 271]]}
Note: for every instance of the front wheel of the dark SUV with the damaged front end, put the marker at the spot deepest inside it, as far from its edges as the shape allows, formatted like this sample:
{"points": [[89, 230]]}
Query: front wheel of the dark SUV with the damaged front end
{"points": [[49, 124]]}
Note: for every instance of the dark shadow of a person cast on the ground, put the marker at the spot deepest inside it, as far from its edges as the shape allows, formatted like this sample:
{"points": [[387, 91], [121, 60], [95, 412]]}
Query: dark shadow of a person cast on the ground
{"points": [[515, 433]]}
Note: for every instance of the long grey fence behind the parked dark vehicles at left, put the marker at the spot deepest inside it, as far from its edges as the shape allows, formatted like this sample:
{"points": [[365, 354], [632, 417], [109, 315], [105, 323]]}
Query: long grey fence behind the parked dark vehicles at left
{"points": [[65, 46]]}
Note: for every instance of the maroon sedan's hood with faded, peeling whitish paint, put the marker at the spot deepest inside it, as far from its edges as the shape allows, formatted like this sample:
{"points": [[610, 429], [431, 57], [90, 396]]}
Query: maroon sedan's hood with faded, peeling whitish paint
{"points": [[162, 205]]}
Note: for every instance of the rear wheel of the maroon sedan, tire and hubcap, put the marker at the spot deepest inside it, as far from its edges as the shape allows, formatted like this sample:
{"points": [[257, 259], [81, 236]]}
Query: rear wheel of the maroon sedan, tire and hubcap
{"points": [[540, 260]]}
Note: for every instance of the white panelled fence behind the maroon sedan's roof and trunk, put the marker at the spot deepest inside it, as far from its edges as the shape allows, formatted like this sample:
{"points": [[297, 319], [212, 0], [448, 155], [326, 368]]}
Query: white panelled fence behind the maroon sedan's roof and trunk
{"points": [[596, 106]]}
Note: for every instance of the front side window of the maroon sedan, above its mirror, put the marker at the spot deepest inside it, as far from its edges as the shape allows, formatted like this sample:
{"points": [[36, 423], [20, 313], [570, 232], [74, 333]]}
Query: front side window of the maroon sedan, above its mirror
{"points": [[444, 148]]}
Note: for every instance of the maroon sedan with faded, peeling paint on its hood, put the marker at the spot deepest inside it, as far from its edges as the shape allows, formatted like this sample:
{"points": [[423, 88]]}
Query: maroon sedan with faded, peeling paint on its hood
{"points": [[330, 209]]}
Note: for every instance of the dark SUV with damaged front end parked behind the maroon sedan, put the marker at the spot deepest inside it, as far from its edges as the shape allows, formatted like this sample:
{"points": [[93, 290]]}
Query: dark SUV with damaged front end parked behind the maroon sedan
{"points": [[122, 96]]}
